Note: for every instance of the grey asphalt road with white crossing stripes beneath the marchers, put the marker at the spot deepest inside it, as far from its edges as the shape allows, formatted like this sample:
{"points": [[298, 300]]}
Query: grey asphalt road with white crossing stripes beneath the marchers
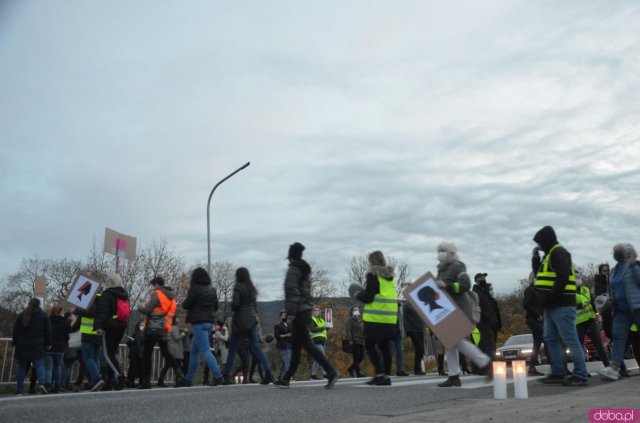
{"points": [[304, 402]]}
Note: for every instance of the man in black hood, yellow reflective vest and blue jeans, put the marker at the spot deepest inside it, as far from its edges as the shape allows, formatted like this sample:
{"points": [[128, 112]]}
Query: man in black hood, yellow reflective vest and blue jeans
{"points": [[555, 289]]}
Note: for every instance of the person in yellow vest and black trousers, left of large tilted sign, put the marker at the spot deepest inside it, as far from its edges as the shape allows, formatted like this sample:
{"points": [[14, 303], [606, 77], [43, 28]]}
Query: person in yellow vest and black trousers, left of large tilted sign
{"points": [[380, 316]]}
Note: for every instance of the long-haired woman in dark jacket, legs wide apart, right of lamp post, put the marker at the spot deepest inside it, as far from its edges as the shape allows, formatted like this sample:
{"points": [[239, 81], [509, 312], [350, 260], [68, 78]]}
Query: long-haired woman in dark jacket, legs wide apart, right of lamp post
{"points": [[245, 324]]}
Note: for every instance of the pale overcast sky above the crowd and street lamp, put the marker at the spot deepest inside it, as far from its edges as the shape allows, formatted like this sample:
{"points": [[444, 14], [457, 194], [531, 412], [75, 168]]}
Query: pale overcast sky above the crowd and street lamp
{"points": [[369, 125]]}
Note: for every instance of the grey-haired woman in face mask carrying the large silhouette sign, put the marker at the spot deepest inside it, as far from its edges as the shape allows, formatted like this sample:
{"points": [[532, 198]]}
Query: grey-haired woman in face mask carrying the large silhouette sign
{"points": [[452, 277]]}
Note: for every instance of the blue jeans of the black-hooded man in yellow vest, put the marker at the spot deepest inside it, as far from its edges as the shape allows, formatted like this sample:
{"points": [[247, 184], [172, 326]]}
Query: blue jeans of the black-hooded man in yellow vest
{"points": [[560, 328]]}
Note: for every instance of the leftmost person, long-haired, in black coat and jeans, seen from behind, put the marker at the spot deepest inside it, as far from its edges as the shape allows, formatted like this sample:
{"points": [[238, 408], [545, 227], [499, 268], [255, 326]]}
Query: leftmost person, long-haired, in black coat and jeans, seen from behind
{"points": [[31, 336]]}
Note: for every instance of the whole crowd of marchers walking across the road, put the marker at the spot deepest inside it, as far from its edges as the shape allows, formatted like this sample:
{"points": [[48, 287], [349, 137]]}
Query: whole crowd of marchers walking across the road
{"points": [[559, 311]]}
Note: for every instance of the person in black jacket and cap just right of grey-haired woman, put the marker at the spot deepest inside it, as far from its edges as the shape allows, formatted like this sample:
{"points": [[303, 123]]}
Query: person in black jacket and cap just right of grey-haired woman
{"points": [[489, 323]]}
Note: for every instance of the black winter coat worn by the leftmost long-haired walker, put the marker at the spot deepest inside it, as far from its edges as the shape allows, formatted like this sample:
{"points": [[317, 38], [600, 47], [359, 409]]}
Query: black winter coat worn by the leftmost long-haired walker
{"points": [[30, 341]]}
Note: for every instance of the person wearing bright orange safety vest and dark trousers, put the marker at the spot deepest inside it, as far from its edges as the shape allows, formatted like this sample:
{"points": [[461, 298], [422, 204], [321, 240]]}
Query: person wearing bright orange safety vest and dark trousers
{"points": [[161, 306]]}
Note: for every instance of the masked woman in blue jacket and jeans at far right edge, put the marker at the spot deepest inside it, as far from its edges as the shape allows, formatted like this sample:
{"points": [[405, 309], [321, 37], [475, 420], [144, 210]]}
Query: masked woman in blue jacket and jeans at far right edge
{"points": [[624, 290]]}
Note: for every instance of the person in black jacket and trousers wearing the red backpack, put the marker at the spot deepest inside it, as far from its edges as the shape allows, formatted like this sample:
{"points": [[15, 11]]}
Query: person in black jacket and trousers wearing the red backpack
{"points": [[111, 329]]}
